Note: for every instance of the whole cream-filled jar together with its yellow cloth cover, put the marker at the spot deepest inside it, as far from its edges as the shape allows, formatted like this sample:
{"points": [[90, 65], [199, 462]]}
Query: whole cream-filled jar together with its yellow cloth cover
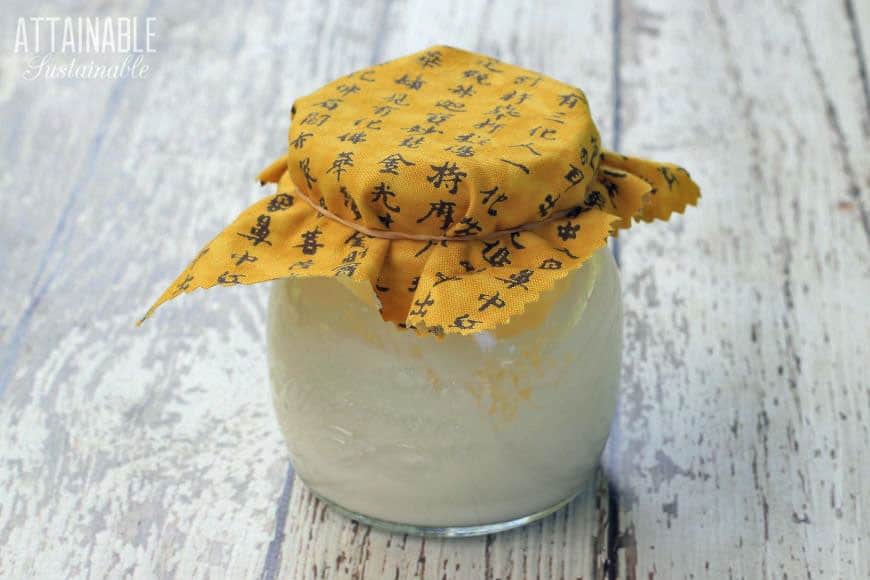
{"points": [[444, 327]]}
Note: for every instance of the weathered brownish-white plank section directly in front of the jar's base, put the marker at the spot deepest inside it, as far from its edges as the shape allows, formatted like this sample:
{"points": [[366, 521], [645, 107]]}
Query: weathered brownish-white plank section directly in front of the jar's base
{"points": [[321, 544]]}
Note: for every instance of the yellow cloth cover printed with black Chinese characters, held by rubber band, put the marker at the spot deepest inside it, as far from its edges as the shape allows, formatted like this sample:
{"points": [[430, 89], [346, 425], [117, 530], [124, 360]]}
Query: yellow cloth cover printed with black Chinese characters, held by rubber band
{"points": [[496, 171]]}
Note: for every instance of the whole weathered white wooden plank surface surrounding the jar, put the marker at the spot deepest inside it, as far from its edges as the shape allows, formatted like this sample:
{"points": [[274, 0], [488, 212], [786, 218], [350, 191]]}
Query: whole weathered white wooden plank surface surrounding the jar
{"points": [[740, 446]]}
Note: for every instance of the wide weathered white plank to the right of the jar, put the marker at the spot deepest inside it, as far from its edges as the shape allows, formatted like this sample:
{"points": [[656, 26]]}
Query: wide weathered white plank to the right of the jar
{"points": [[741, 446]]}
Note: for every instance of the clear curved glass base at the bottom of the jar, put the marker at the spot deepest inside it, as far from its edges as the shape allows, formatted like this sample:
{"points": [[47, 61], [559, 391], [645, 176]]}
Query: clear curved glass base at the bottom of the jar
{"points": [[446, 531]]}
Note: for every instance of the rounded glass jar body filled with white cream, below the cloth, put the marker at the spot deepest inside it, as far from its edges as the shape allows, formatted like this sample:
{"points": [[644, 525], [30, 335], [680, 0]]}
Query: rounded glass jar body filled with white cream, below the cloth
{"points": [[452, 436]]}
